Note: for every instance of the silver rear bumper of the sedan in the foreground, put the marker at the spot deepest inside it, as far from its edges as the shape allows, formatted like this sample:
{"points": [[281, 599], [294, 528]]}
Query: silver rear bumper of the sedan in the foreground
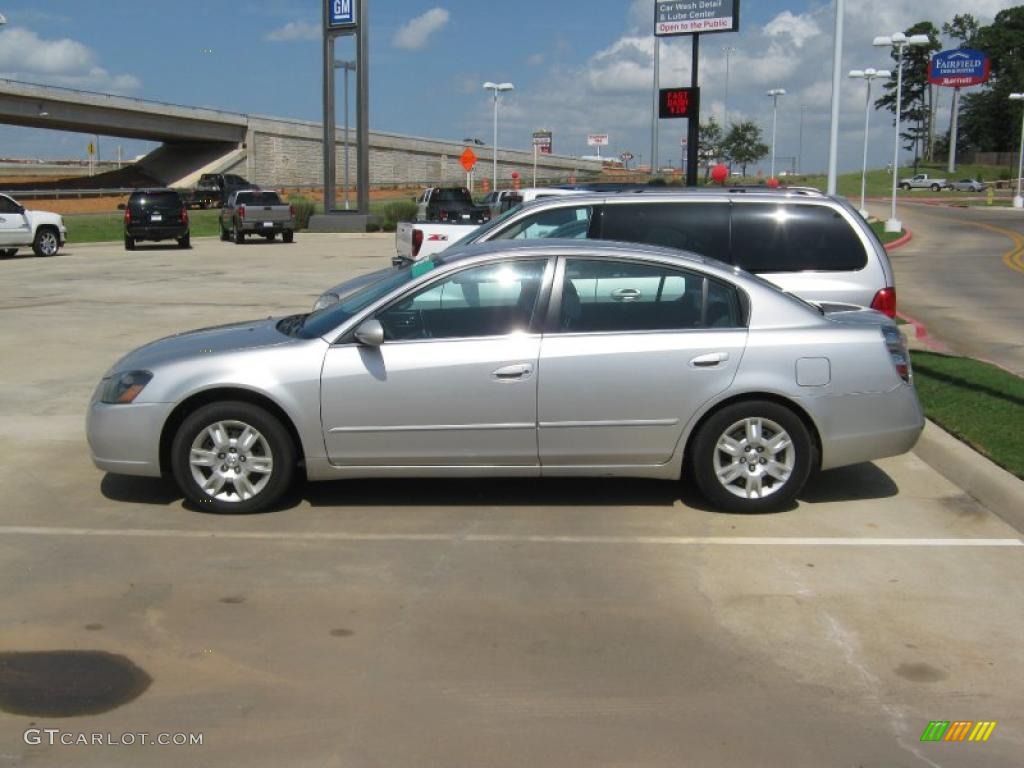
{"points": [[860, 429]]}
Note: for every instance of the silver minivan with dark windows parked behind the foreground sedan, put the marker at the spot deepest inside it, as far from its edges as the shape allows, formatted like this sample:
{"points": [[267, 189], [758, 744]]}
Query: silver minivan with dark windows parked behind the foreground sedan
{"points": [[809, 244]]}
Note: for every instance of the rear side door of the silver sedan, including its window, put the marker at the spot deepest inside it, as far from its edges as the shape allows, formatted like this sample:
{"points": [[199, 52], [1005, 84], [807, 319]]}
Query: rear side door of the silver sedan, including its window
{"points": [[637, 350]]}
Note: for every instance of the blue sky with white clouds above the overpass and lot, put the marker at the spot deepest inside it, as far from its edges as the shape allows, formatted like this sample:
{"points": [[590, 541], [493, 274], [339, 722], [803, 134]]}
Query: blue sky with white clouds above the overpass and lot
{"points": [[579, 67]]}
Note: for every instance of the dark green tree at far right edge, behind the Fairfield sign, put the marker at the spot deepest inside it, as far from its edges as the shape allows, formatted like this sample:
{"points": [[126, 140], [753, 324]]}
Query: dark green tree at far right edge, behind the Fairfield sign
{"points": [[990, 121]]}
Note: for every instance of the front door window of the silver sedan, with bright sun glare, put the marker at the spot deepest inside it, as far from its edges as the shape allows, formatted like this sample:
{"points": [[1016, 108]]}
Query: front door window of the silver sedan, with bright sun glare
{"points": [[490, 301]]}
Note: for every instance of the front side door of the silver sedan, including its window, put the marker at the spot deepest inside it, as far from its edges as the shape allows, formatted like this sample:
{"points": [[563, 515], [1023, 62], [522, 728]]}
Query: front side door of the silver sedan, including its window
{"points": [[455, 382]]}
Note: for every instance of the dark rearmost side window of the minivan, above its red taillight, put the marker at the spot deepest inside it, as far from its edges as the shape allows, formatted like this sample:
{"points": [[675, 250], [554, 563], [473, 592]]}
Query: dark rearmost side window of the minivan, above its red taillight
{"points": [[771, 238]]}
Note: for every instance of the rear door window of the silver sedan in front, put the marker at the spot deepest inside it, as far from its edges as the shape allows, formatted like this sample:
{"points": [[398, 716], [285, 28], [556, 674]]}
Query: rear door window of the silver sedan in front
{"points": [[621, 296]]}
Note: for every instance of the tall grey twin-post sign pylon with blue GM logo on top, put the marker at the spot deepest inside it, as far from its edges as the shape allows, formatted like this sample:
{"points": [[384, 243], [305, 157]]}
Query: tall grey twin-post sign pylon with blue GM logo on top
{"points": [[346, 19]]}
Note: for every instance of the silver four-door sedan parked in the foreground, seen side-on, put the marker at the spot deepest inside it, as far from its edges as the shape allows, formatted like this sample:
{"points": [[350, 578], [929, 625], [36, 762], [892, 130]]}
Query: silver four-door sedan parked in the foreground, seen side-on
{"points": [[532, 359]]}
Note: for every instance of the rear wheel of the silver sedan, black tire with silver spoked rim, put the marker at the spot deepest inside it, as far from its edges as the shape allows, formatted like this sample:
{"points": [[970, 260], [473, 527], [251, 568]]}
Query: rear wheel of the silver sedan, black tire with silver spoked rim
{"points": [[799, 458]]}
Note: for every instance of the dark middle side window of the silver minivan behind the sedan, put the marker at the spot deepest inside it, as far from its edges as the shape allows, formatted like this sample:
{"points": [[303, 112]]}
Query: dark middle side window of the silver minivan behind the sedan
{"points": [[700, 228]]}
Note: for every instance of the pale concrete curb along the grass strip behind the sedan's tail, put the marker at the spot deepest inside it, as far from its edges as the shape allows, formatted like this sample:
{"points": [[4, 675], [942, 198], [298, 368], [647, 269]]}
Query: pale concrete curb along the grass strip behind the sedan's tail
{"points": [[994, 487]]}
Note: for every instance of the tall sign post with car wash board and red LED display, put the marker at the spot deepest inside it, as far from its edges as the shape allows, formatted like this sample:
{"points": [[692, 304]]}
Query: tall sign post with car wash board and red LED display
{"points": [[676, 18]]}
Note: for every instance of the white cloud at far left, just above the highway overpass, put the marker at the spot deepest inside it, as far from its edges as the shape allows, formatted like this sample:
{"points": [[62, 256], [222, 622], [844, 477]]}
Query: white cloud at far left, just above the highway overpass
{"points": [[25, 56]]}
